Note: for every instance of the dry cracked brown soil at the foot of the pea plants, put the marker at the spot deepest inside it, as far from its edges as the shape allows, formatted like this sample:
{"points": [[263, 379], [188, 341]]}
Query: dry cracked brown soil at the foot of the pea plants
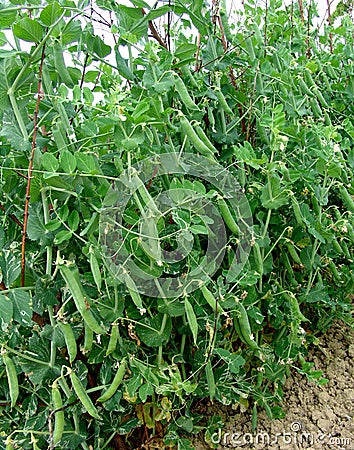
{"points": [[317, 417]]}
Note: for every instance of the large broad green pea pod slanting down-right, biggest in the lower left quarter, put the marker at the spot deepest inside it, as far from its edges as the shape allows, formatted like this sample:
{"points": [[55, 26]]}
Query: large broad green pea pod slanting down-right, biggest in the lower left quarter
{"points": [[71, 278]]}
